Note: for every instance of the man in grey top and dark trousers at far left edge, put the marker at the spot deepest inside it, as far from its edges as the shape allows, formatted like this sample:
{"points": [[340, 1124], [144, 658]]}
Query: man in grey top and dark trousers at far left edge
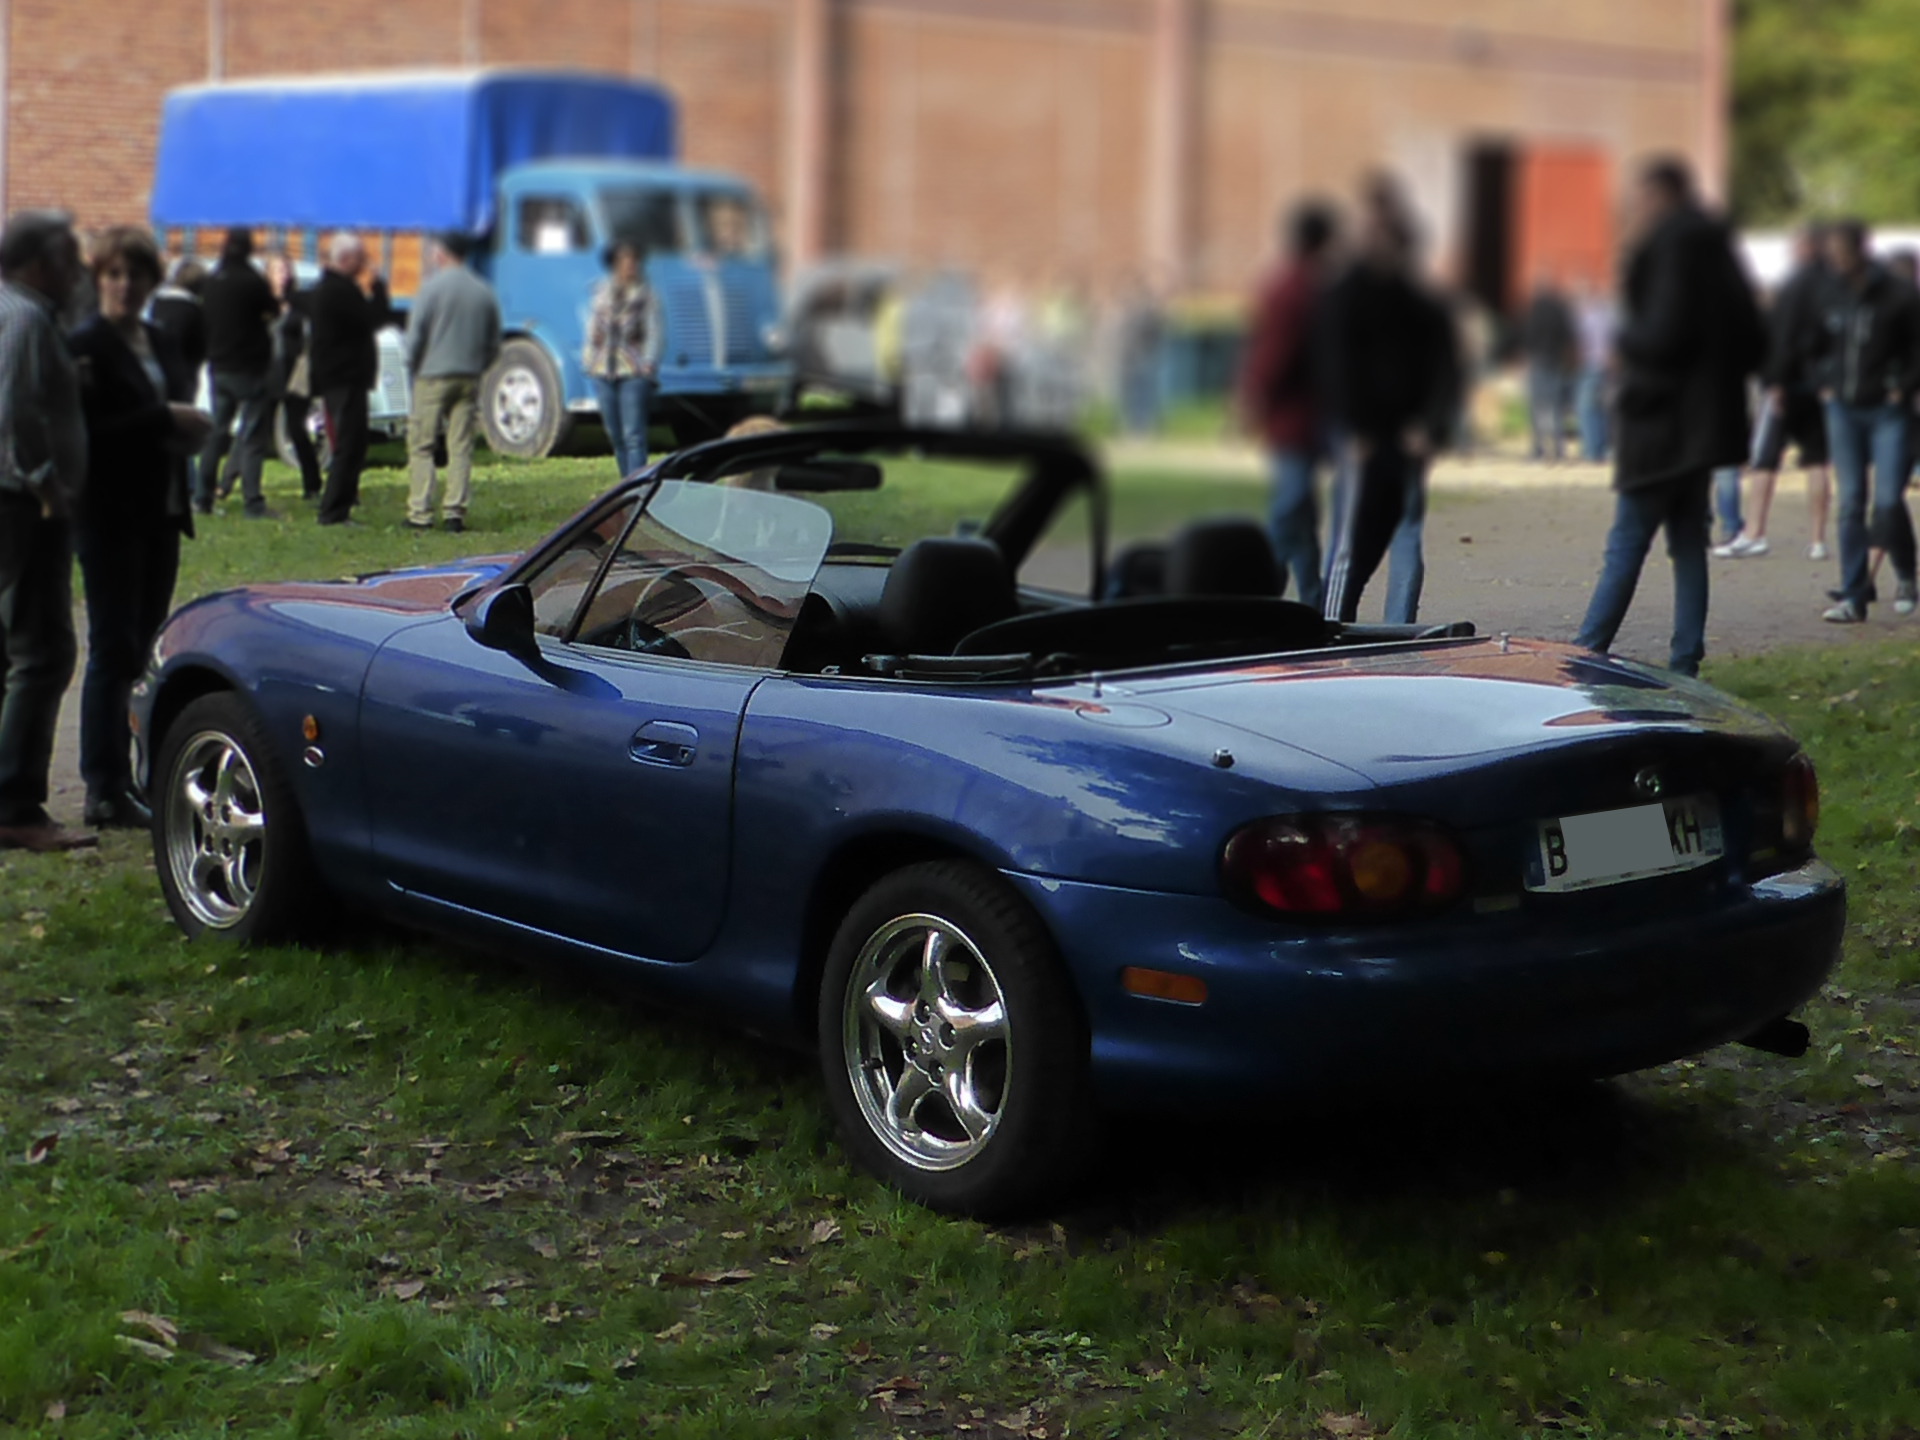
{"points": [[43, 477]]}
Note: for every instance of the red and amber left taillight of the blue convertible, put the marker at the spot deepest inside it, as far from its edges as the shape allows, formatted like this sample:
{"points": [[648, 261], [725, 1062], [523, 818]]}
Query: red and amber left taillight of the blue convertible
{"points": [[1343, 867]]}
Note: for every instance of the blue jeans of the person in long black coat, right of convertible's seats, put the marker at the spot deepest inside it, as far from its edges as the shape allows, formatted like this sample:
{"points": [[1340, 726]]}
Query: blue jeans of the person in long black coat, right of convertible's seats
{"points": [[1679, 508]]}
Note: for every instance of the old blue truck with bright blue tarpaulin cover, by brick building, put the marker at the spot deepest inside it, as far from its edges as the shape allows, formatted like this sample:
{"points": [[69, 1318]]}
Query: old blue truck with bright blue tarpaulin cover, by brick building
{"points": [[548, 170]]}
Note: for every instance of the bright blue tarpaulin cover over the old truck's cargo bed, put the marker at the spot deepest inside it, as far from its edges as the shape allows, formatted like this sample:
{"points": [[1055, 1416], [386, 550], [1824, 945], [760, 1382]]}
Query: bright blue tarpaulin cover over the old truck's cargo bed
{"points": [[410, 151]]}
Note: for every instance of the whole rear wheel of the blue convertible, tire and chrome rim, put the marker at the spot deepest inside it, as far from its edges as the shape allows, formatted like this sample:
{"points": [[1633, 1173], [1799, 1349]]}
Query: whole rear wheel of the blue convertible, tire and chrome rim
{"points": [[978, 1118]]}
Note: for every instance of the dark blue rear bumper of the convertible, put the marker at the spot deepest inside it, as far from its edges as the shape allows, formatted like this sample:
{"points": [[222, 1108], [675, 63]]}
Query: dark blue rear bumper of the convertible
{"points": [[1502, 996]]}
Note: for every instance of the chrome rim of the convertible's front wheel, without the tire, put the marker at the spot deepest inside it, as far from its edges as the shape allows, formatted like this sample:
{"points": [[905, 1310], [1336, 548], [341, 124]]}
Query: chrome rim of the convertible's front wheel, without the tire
{"points": [[216, 830]]}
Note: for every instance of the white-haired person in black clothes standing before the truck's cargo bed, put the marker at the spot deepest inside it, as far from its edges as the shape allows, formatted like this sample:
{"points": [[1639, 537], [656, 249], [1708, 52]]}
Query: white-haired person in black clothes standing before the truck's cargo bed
{"points": [[345, 364]]}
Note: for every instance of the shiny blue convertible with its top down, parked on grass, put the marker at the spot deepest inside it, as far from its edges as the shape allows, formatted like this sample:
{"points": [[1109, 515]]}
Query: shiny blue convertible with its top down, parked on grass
{"points": [[1011, 830]]}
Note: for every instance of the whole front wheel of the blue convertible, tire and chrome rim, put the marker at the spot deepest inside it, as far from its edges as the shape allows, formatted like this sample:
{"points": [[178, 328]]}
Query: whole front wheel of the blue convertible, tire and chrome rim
{"points": [[229, 840]]}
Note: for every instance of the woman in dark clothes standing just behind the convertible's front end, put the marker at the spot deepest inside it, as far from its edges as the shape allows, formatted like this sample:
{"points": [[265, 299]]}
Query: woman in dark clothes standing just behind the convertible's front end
{"points": [[141, 427]]}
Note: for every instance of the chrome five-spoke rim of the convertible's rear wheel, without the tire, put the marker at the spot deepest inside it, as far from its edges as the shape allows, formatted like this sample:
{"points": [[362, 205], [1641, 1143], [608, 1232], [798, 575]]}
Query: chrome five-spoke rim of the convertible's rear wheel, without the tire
{"points": [[926, 1042]]}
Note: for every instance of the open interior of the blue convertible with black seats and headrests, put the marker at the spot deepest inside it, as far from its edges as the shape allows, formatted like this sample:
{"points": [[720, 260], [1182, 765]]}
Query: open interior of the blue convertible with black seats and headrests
{"points": [[959, 606]]}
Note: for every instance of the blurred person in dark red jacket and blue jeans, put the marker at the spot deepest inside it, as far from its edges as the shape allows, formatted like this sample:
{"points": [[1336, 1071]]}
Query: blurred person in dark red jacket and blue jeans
{"points": [[1278, 393]]}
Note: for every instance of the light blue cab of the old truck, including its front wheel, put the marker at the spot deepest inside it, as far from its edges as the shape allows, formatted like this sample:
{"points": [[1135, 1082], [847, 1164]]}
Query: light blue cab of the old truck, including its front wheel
{"points": [[709, 262]]}
